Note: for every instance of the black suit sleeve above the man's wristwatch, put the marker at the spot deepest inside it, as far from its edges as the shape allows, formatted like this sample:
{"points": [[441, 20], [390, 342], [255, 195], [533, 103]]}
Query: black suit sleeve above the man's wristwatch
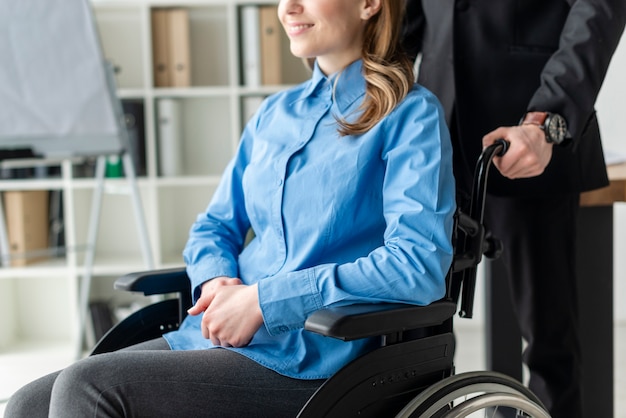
{"points": [[572, 77]]}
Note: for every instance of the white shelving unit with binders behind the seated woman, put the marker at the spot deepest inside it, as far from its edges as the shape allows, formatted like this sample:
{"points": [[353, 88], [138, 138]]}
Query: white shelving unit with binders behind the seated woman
{"points": [[40, 301]]}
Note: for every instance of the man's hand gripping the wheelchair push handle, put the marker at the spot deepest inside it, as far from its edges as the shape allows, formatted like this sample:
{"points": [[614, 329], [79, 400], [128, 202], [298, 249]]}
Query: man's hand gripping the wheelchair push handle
{"points": [[528, 155]]}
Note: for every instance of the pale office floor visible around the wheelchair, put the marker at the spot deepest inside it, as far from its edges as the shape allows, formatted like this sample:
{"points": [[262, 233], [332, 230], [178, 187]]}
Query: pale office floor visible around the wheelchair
{"points": [[24, 363]]}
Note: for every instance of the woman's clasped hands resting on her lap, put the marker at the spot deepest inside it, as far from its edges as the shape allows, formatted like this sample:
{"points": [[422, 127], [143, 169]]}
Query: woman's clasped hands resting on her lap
{"points": [[231, 313]]}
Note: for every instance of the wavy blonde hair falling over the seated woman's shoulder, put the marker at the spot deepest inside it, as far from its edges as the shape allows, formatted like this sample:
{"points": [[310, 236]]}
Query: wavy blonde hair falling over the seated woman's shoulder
{"points": [[387, 70]]}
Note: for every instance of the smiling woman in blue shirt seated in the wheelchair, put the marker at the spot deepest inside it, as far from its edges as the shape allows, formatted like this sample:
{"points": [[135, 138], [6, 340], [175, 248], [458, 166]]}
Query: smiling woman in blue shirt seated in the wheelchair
{"points": [[346, 181]]}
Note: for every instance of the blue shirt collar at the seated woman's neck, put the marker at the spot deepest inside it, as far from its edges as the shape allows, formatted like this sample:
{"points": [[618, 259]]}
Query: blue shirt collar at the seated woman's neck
{"points": [[349, 86]]}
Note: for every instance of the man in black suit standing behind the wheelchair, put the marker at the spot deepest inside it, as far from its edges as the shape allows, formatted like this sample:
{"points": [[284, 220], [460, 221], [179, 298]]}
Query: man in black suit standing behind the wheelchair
{"points": [[528, 71]]}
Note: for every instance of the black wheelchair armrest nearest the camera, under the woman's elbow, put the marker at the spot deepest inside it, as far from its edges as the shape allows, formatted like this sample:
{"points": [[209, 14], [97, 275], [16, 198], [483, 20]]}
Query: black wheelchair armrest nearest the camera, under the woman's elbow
{"points": [[371, 320]]}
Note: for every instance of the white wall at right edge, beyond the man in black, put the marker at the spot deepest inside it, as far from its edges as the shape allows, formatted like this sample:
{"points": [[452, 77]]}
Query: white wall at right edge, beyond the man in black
{"points": [[611, 106]]}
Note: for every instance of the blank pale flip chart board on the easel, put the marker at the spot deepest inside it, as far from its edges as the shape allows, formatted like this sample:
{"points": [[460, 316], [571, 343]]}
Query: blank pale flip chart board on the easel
{"points": [[56, 97]]}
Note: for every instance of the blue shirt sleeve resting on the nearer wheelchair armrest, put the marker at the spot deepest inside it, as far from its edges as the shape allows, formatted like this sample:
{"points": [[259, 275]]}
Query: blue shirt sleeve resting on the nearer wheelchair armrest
{"points": [[418, 203]]}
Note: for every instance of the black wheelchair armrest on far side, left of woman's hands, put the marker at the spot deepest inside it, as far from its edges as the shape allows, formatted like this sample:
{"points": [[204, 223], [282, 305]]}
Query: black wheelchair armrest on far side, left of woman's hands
{"points": [[155, 282]]}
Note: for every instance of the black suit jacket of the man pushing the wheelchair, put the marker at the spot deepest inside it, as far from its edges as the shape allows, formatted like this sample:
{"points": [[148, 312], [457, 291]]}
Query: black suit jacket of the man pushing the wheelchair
{"points": [[491, 61]]}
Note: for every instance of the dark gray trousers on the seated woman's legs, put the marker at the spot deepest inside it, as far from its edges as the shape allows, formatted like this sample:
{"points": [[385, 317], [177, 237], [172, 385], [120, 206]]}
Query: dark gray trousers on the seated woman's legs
{"points": [[150, 380]]}
